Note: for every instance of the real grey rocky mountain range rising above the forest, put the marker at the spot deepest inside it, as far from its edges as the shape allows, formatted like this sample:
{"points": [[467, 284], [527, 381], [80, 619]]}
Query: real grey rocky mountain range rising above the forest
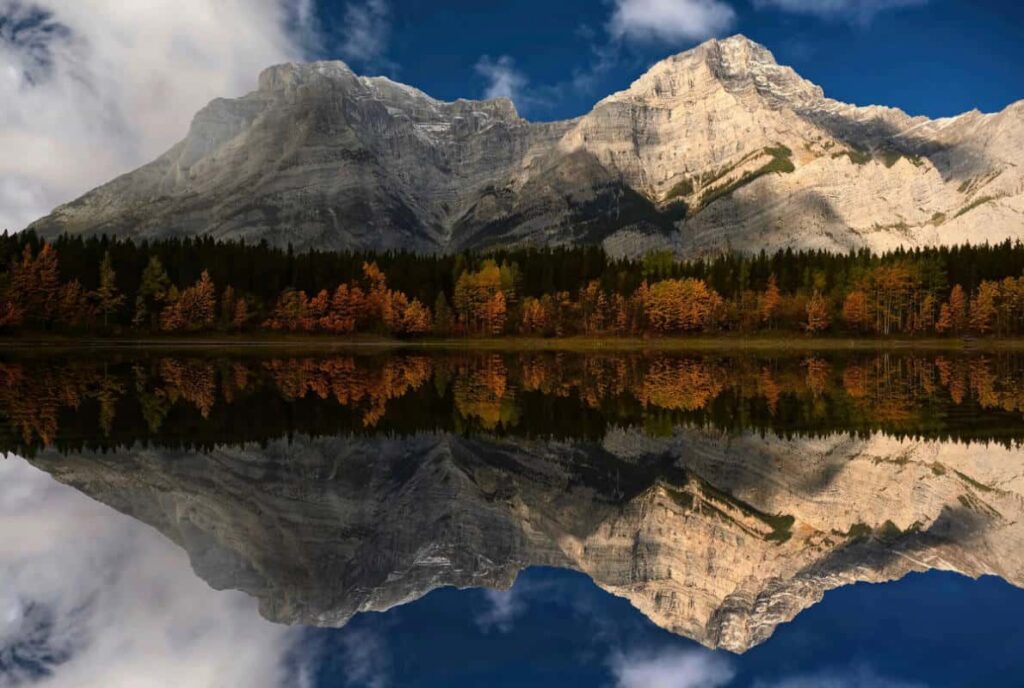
{"points": [[717, 148]]}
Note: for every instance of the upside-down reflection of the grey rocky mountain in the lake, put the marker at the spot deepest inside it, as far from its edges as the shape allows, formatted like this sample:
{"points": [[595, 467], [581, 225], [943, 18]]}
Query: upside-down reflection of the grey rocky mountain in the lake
{"points": [[718, 539]]}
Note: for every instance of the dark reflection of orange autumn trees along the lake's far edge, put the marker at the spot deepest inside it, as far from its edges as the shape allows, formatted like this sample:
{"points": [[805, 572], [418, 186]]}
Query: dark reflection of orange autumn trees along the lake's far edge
{"points": [[201, 401]]}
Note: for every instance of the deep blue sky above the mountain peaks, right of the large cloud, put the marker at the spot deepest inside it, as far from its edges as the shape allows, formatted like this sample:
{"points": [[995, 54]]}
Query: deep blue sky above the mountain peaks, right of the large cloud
{"points": [[933, 58]]}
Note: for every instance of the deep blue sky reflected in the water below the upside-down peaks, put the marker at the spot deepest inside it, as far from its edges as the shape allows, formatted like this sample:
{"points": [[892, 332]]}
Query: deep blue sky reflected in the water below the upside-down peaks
{"points": [[936, 629]]}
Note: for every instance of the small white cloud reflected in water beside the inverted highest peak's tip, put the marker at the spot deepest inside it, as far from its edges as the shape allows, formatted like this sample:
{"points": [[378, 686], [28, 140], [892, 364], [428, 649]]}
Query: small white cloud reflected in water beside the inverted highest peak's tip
{"points": [[672, 669]]}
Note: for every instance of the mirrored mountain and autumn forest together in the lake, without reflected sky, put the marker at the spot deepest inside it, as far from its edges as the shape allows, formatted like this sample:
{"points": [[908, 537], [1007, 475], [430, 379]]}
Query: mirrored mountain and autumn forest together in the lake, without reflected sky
{"points": [[720, 496]]}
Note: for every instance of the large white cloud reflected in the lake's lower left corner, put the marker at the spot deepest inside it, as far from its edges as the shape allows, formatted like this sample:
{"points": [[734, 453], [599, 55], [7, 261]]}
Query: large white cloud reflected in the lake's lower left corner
{"points": [[93, 598]]}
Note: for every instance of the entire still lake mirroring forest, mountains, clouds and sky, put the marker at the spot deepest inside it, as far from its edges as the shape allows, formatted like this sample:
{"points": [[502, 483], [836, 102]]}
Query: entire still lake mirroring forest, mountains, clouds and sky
{"points": [[450, 519]]}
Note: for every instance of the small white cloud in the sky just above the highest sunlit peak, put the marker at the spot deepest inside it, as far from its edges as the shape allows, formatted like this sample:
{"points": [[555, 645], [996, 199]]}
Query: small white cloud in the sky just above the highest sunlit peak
{"points": [[670, 21]]}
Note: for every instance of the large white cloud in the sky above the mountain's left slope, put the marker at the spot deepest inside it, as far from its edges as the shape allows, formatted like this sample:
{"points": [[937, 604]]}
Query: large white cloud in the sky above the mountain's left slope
{"points": [[90, 91]]}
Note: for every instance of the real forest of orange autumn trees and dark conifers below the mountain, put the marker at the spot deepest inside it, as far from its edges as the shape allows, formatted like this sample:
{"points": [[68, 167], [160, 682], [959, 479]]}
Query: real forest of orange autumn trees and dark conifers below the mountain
{"points": [[111, 287]]}
